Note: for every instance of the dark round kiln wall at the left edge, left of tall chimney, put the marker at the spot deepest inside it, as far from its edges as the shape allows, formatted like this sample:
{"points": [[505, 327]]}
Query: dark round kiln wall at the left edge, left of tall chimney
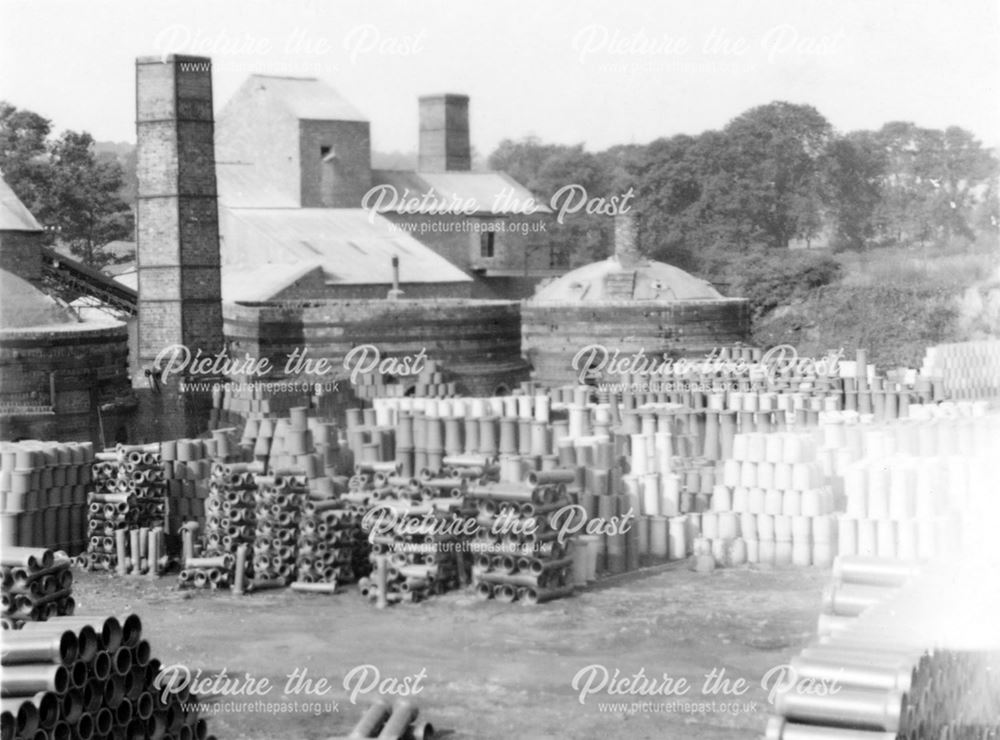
{"points": [[85, 368]]}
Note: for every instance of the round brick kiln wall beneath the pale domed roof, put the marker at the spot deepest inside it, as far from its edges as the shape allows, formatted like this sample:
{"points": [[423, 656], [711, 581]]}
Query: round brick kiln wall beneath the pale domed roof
{"points": [[553, 333]]}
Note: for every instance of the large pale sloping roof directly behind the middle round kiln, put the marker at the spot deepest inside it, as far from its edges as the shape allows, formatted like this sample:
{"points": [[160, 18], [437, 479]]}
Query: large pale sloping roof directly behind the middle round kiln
{"points": [[351, 248]]}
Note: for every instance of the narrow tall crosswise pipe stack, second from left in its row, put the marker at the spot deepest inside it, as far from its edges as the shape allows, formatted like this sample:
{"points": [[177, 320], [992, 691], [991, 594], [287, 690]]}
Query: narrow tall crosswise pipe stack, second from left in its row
{"points": [[230, 525]]}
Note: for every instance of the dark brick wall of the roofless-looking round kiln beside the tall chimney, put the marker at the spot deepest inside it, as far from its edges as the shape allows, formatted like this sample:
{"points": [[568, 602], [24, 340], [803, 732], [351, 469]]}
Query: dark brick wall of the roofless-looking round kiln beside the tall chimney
{"points": [[476, 343]]}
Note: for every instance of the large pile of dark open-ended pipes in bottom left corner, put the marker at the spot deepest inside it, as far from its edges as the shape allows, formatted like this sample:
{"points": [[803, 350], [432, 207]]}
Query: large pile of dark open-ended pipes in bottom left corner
{"points": [[89, 677]]}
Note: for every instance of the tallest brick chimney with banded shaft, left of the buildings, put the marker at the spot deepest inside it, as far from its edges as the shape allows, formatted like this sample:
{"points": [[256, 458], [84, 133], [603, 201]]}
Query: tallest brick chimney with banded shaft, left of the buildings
{"points": [[177, 229]]}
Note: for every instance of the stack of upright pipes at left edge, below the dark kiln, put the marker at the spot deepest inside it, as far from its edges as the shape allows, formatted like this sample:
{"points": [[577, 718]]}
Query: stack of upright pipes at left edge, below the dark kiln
{"points": [[43, 494]]}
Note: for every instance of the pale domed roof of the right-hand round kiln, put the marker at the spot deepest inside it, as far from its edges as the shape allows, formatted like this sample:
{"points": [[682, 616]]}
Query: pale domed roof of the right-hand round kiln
{"points": [[609, 280]]}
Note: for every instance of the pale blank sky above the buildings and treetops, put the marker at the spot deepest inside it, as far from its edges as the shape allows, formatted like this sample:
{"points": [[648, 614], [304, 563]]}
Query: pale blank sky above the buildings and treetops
{"points": [[596, 72]]}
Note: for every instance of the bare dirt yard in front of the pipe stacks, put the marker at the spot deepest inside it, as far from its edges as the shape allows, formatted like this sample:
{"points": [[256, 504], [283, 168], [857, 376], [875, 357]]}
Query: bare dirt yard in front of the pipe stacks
{"points": [[487, 670]]}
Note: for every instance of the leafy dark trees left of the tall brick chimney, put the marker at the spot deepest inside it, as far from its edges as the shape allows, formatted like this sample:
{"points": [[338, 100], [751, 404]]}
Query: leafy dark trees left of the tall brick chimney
{"points": [[72, 193]]}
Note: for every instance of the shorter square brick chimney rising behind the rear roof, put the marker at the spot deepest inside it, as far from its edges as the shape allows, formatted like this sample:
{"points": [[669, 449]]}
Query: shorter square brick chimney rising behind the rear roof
{"points": [[444, 133]]}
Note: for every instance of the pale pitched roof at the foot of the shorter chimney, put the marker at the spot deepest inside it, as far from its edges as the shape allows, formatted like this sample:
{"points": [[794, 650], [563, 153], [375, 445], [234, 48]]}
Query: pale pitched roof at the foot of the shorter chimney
{"points": [[491, 193]]}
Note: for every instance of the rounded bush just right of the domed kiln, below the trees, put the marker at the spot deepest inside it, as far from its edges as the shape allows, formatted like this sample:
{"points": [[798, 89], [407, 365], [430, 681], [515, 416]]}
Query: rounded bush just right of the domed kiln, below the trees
{"points": [[773, 278]]}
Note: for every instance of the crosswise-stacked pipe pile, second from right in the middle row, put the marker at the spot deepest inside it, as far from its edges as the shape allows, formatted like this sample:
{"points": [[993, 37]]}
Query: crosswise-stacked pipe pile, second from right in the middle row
{"points": [[417, 530]]}
